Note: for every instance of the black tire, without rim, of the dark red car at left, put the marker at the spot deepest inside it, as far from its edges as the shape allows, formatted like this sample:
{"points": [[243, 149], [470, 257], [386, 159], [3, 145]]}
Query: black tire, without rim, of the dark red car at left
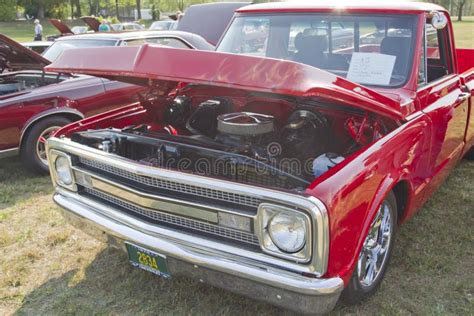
{"points": [[29, 153]]}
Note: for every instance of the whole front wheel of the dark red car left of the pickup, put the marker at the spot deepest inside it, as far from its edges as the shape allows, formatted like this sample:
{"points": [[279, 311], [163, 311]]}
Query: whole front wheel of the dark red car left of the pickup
{"points": [[33, 150]]}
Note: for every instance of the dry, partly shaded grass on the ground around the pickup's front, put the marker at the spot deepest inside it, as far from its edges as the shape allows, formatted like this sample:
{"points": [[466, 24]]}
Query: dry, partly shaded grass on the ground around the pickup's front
{"points": [[48, 267]]}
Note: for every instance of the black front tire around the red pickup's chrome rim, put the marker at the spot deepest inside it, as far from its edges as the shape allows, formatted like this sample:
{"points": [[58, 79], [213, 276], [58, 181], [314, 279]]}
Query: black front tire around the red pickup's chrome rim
{"points": [[355, 292]]}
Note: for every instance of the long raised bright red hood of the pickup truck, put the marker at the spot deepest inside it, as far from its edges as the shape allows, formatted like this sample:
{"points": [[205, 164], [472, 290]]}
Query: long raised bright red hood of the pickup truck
{"points": [[154, 64]]}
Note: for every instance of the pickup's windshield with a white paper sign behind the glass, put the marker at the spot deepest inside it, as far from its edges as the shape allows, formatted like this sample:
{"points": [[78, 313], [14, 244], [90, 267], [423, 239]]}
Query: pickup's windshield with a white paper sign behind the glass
{"points": [[373, 50]]}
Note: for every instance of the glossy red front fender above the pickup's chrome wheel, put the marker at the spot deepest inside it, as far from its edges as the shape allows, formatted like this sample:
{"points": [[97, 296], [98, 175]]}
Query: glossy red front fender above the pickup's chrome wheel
{"points": [[353, 190]]}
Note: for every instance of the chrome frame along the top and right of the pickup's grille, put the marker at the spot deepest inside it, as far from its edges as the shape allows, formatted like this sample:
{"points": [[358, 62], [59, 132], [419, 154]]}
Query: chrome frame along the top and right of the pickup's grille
{"points": [[311, 205]]}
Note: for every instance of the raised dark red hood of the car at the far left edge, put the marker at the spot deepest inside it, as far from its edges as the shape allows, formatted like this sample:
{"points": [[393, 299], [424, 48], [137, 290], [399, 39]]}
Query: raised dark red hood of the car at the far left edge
{"points": [[15, 57]]}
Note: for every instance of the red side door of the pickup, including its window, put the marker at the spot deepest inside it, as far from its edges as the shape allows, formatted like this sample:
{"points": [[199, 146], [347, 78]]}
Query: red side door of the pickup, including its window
{"points": [[442, 98]]}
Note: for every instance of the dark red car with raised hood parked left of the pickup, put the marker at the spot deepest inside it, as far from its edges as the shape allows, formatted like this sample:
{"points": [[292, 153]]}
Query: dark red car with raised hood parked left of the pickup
{"points": [[34, 103]]}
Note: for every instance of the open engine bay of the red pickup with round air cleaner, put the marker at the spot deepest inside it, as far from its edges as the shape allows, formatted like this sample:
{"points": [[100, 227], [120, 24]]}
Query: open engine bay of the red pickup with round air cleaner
{"points": [[256, 140]]}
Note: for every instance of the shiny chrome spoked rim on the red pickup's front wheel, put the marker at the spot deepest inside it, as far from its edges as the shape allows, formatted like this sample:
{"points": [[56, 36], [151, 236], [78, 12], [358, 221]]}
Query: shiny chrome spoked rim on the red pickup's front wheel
{"points": [[375, 250]]}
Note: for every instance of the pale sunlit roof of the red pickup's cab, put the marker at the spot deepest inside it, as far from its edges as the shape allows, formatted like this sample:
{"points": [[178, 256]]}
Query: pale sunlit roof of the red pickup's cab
{"points": [[342, 5]]}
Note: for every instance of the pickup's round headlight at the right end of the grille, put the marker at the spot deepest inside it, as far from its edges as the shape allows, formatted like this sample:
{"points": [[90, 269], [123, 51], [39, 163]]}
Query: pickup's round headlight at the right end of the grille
{"points": [[288, 232]]}
